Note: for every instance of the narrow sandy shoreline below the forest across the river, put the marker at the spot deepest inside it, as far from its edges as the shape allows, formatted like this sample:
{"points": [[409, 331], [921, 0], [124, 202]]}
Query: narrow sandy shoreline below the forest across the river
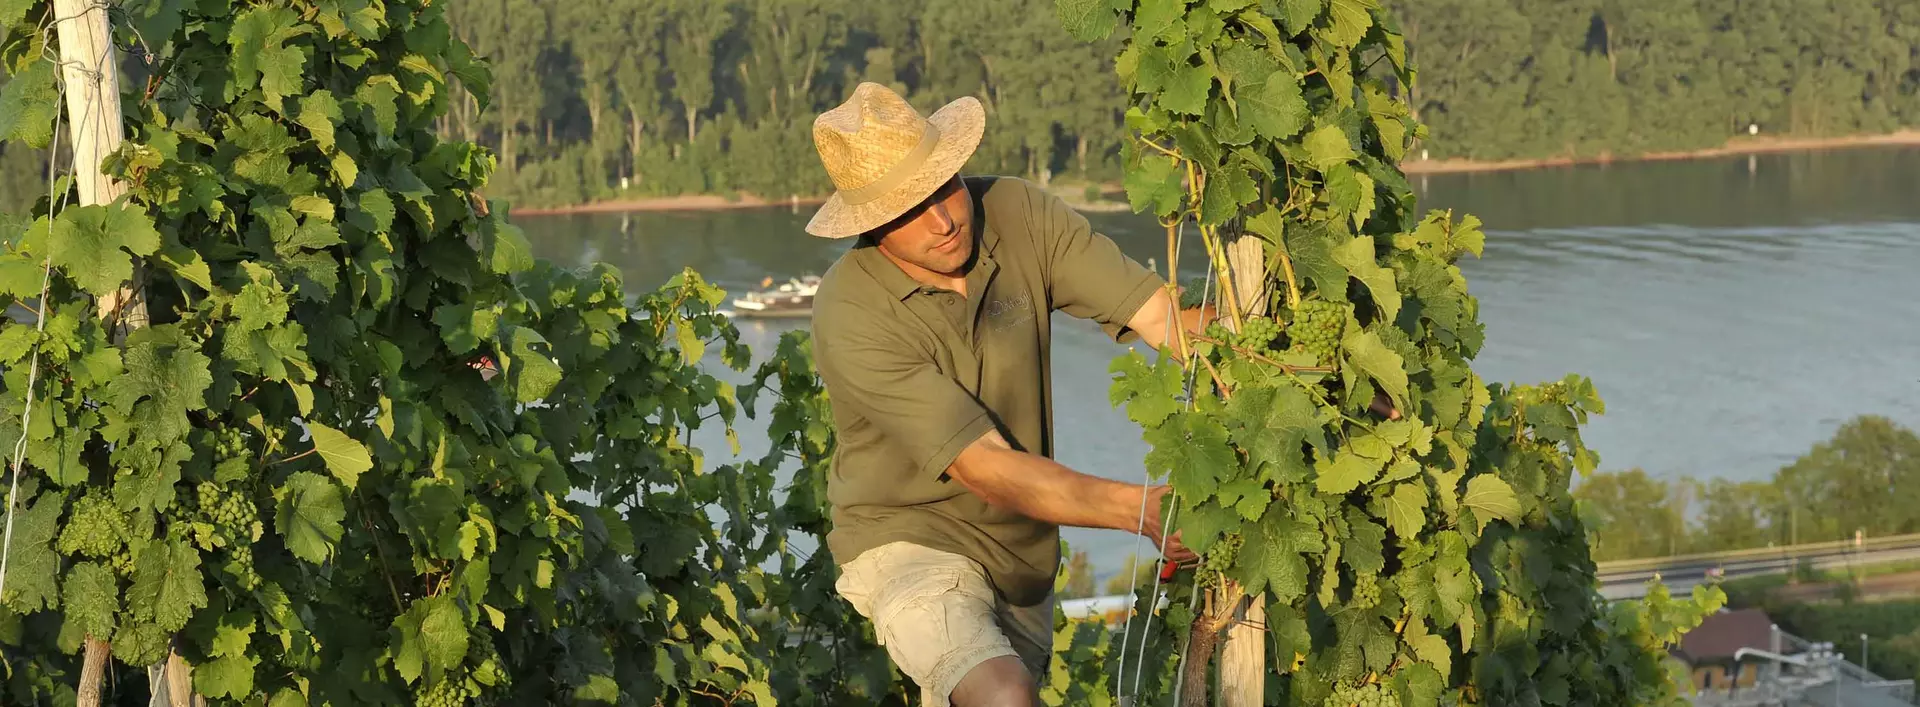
{"points": [[1733, 149]]}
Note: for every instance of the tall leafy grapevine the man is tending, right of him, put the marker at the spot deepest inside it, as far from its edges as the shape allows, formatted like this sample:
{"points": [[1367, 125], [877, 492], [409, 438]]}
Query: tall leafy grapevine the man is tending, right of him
{"points": [[1435, 554]]}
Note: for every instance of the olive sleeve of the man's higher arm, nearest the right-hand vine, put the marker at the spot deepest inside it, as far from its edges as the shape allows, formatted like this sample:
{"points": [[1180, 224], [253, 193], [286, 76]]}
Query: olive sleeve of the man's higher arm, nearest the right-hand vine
{"points": [[1088, 276]]}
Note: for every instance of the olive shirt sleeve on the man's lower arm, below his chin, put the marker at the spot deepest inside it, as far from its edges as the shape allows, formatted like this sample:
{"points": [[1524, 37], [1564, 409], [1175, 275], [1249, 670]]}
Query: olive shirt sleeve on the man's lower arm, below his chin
{"points": [[900, 391]]}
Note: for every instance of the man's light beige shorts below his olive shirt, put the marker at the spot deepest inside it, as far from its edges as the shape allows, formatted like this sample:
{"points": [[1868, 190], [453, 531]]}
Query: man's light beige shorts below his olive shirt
{"points": [[938, 616]]}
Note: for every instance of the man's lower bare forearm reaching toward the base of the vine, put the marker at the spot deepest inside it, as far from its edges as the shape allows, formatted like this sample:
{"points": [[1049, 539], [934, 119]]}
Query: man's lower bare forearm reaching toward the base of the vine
{"points": [[1045, 491]]}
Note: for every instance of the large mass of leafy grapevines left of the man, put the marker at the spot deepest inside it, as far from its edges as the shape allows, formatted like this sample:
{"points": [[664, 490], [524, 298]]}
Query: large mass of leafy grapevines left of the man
{"points": [[370, 452]]}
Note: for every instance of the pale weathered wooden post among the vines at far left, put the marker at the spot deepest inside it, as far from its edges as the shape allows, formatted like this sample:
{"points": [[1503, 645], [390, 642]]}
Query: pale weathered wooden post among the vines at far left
{"points": [[89, 70]]}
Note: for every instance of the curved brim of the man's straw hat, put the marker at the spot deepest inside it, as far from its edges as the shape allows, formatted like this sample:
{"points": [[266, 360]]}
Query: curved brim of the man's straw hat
{"points": [[961, 124]]}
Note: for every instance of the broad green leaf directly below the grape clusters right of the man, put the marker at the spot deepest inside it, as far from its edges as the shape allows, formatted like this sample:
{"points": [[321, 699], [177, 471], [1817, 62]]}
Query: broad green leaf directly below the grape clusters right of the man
{"points": [[1276, 426]]}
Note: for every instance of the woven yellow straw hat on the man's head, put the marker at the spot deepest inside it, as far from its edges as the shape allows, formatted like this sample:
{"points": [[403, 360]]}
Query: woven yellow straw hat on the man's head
{"points": [[884, 158]]}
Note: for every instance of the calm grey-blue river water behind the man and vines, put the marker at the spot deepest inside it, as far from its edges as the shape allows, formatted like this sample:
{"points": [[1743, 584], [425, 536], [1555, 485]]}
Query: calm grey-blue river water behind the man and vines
{"points": [[1731, 312]]}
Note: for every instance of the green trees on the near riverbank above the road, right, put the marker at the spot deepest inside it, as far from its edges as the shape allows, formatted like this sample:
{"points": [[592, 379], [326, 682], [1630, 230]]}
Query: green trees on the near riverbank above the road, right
{"points": [[1863, 479]]}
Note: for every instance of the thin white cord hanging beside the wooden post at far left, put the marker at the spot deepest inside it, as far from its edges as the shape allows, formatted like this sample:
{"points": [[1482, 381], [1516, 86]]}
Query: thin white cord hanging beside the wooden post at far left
{"points": [[57, 203]]}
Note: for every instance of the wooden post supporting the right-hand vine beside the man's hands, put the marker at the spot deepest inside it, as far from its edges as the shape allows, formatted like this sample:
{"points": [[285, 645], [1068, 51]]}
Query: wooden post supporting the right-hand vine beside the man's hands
{"points": [[1243, 654]]}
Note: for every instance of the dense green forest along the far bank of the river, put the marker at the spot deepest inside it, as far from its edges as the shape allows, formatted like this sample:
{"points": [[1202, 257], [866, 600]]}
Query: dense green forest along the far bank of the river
{"points": [[602, 99]]}
